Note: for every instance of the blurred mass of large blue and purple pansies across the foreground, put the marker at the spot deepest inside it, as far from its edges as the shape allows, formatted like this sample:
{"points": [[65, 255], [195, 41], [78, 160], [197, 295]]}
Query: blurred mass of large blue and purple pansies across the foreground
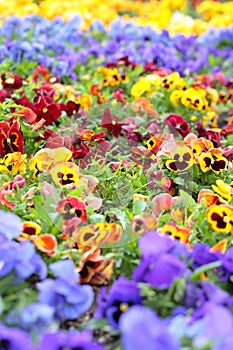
{"points": [[181, 291]]}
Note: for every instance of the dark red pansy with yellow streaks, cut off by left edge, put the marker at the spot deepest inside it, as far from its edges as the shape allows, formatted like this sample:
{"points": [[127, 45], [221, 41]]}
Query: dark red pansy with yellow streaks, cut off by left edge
{"points": [[11, 137]]}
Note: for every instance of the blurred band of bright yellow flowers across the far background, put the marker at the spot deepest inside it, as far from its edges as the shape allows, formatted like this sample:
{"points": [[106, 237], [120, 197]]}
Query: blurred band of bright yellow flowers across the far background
{"points": [[176, 16]]}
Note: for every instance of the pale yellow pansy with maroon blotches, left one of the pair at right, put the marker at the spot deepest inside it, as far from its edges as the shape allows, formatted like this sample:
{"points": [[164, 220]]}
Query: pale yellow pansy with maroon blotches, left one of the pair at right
{"points": [[182, 159]]}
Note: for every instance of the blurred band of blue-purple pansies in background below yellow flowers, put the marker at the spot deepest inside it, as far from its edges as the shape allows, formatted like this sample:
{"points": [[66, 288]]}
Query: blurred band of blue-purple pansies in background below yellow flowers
{"points": [[69, 50]]}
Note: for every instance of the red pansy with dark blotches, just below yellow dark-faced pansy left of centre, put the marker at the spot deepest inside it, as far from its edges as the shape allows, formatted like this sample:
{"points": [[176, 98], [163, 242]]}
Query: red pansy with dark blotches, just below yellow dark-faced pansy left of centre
{"points": [[72, 207]]}
